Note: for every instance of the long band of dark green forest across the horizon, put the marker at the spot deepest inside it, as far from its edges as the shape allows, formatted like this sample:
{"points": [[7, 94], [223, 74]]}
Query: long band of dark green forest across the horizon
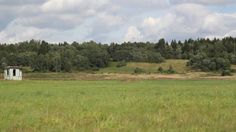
{"points": [[41, 56]]}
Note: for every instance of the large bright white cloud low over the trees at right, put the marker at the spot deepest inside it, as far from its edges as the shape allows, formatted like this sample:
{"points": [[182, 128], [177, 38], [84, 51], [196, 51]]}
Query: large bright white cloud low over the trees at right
{"points": [[187, 21]]}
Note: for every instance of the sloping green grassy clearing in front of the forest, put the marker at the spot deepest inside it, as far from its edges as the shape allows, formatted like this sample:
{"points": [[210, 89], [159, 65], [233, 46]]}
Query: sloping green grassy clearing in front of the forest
{"points": [[178, 65]]}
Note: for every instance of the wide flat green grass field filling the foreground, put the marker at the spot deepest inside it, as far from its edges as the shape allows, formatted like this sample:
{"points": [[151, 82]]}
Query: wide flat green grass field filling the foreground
{"points": [[165, 105]]}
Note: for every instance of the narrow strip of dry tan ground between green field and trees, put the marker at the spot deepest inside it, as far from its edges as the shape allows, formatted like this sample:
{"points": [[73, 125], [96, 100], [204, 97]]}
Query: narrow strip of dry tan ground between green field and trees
{"points": [[115, 76]]}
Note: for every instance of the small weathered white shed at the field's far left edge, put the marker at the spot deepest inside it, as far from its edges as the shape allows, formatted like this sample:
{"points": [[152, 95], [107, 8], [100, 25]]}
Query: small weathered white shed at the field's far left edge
{"points": [[13, 73]]}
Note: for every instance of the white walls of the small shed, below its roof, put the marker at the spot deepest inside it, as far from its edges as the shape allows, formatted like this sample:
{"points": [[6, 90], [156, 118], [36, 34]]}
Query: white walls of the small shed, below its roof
{"points": [[18, 75]]}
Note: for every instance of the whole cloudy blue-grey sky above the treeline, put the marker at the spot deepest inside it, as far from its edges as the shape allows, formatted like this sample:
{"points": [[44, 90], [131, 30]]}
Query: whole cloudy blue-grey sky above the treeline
{"points": [[109, 21]]}
